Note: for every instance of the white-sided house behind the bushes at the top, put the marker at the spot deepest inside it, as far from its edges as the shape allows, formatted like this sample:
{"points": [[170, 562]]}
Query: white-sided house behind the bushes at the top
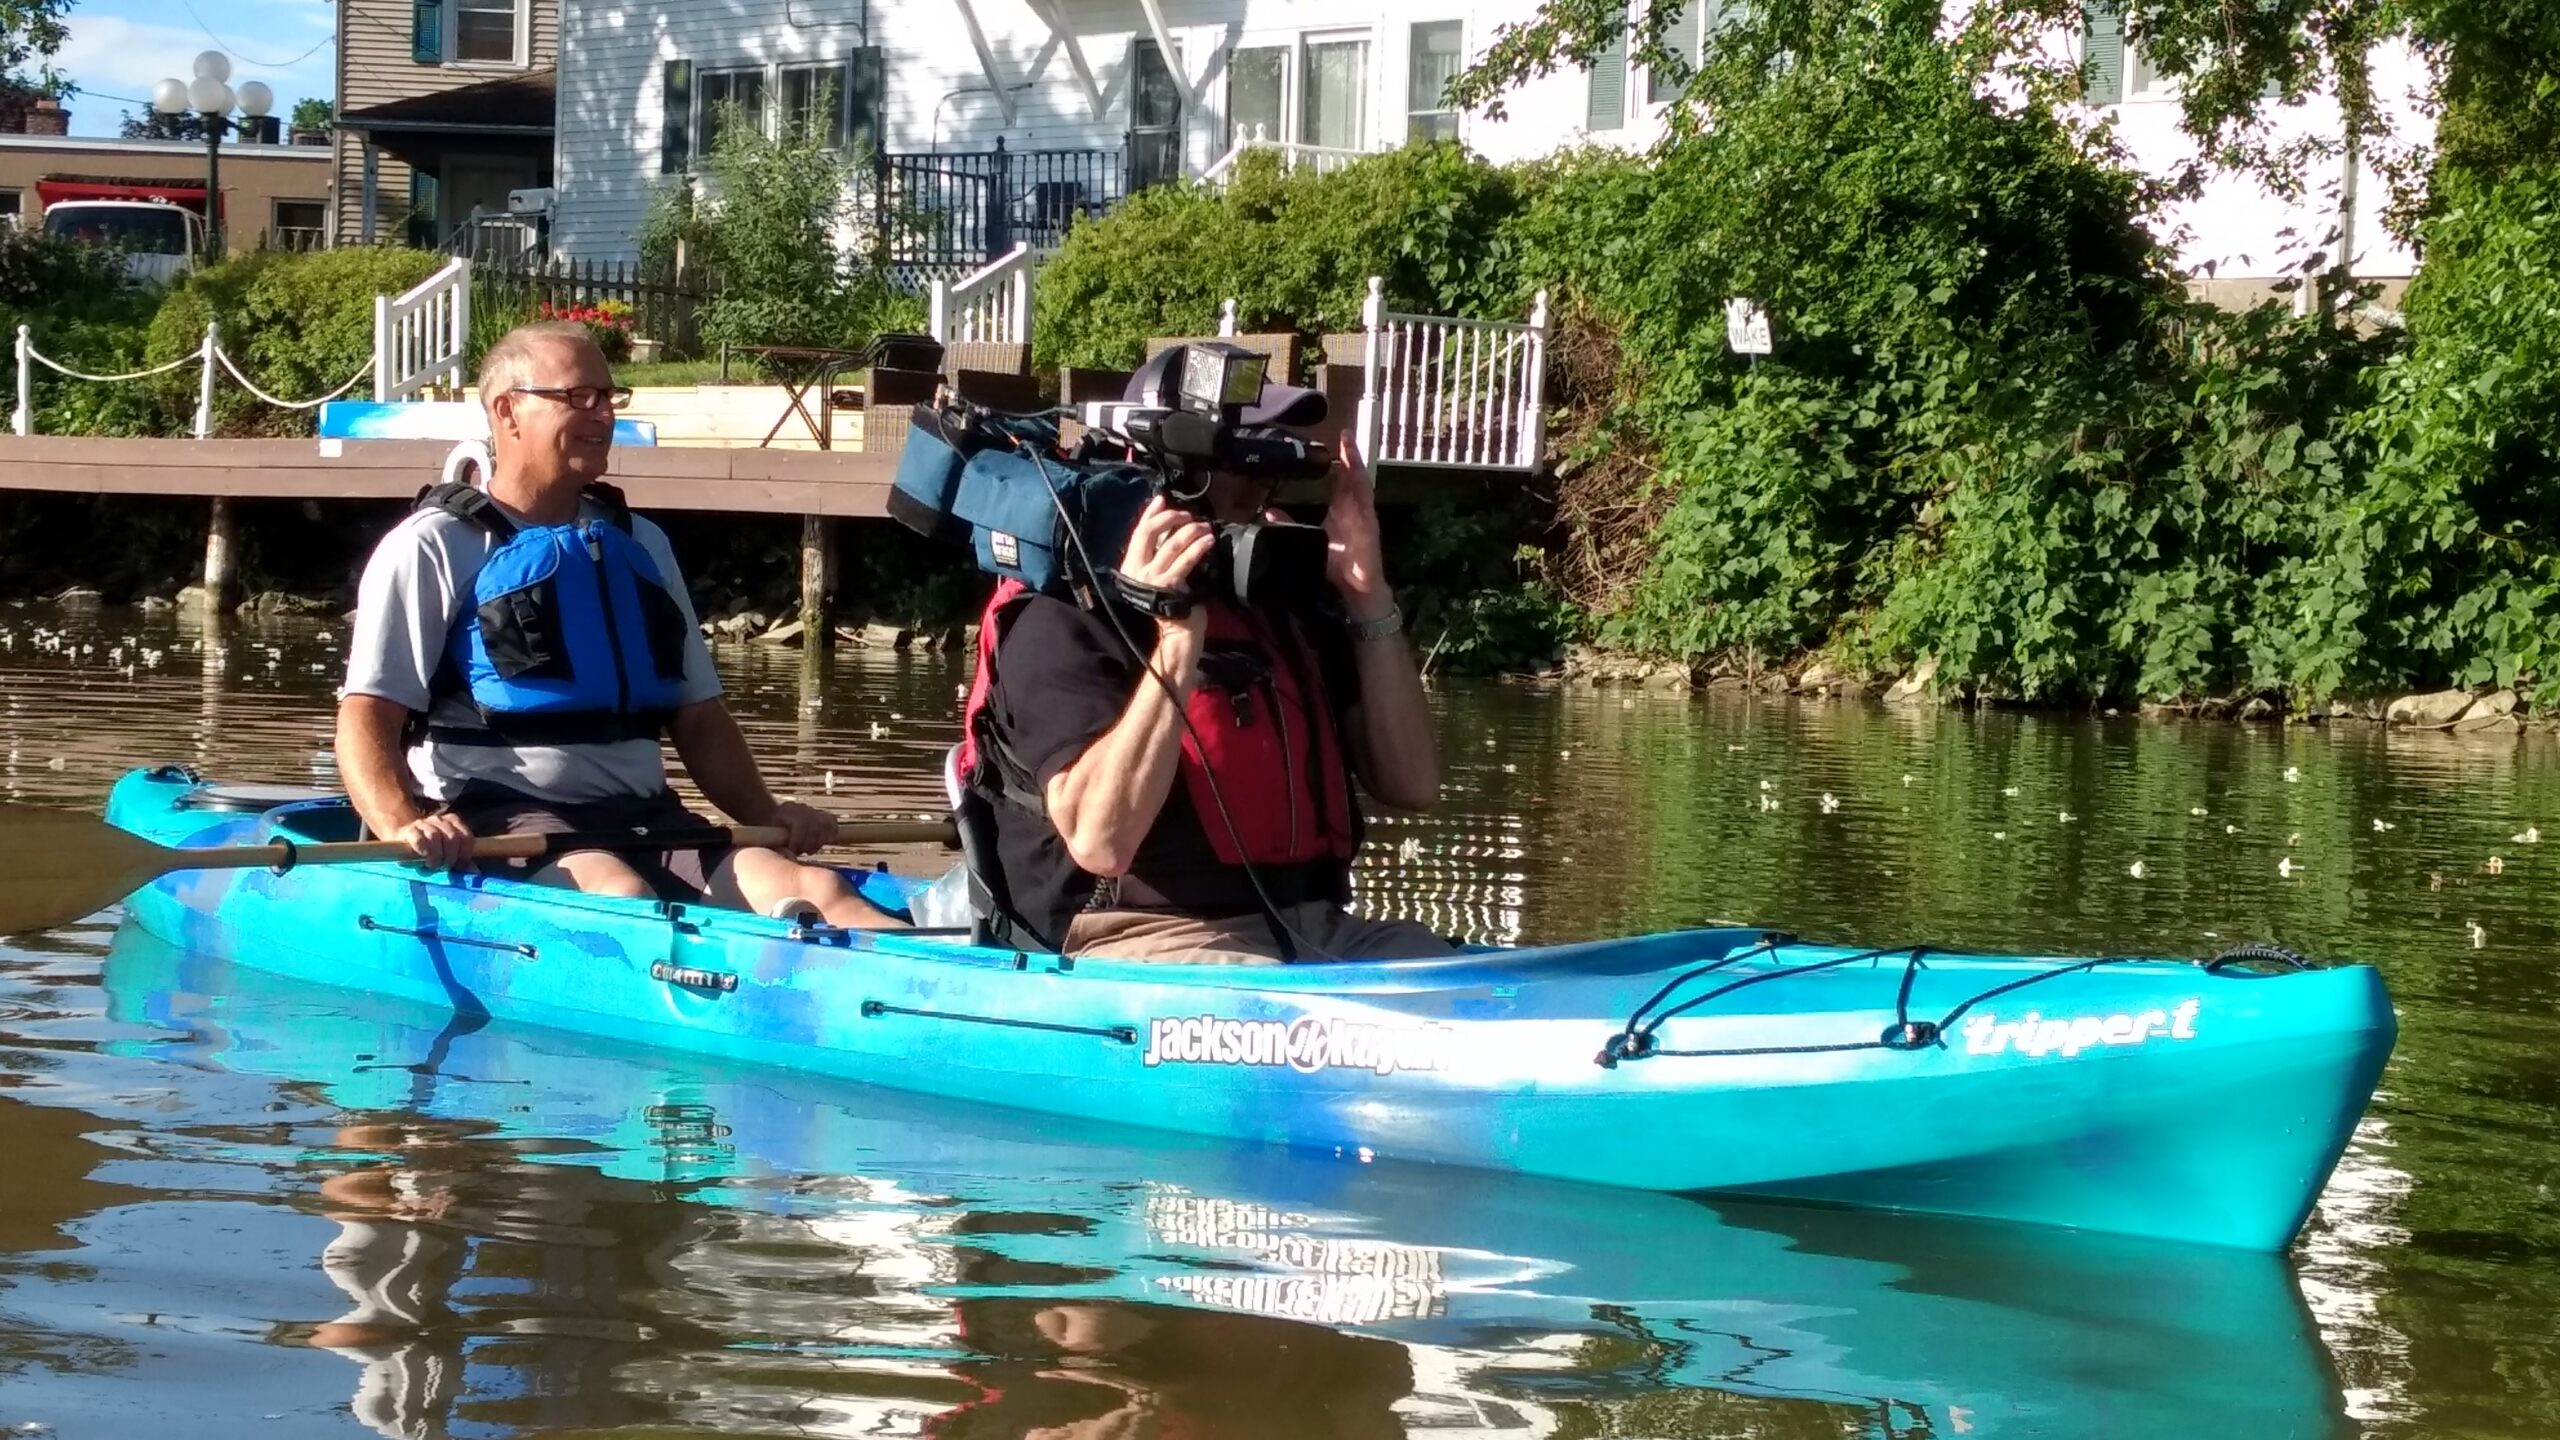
{"points": [[1002, 119]]}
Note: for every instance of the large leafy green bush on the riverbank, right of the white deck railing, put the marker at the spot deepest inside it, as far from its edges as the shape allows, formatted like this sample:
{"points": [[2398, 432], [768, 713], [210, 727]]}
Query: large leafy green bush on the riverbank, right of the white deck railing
{"points": [[1993, 434]]}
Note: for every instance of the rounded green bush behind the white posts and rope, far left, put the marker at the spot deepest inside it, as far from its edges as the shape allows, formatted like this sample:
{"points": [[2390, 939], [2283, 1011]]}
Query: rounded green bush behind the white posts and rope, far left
{"points": [[296, 324]]}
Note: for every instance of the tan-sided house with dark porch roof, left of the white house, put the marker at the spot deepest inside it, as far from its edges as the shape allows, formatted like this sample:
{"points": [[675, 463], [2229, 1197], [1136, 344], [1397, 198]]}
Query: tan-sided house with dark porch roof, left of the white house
{"points": [[444, 109]]}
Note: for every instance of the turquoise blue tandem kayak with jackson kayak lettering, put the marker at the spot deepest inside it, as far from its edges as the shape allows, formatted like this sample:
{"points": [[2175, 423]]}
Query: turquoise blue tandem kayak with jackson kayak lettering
{"points": [[2139, 1098]]}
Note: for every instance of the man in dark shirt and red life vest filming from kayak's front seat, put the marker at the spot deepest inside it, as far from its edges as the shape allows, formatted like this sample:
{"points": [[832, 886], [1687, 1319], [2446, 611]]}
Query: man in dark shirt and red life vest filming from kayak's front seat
{"points": [[1194, 760]]}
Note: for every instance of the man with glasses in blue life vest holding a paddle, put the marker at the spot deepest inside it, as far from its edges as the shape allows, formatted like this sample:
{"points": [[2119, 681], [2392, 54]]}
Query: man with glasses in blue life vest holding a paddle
{"points": [[521, 655]]}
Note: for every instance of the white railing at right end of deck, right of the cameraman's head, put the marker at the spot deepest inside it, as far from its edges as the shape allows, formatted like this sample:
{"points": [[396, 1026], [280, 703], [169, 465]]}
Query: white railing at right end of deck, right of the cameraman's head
{"points": [[1453, 393]]}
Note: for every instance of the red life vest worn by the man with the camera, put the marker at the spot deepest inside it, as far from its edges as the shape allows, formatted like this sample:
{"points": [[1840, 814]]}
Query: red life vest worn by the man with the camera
{"points": [[1261, 724]]}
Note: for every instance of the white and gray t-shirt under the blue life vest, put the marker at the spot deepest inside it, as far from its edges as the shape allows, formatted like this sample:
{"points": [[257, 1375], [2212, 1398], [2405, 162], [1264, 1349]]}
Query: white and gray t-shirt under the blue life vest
{"points": [[416, 591]]}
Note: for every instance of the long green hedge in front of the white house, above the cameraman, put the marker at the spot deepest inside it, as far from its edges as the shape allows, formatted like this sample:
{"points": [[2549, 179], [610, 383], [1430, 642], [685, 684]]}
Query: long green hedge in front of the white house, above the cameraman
{"points": [[1294, 250]]}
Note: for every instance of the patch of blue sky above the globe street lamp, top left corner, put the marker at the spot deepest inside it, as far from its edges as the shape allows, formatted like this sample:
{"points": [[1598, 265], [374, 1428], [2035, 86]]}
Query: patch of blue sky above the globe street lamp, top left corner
{"points": [[122, 47]]}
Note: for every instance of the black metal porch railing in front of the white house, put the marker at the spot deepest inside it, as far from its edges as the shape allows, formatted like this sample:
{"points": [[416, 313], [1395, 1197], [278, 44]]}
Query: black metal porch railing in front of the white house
{"points": [[964, 209]]}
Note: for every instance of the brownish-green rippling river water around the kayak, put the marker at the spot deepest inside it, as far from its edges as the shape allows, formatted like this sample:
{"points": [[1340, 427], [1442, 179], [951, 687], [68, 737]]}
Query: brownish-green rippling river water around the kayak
{"points": [[255, 1208]]}
